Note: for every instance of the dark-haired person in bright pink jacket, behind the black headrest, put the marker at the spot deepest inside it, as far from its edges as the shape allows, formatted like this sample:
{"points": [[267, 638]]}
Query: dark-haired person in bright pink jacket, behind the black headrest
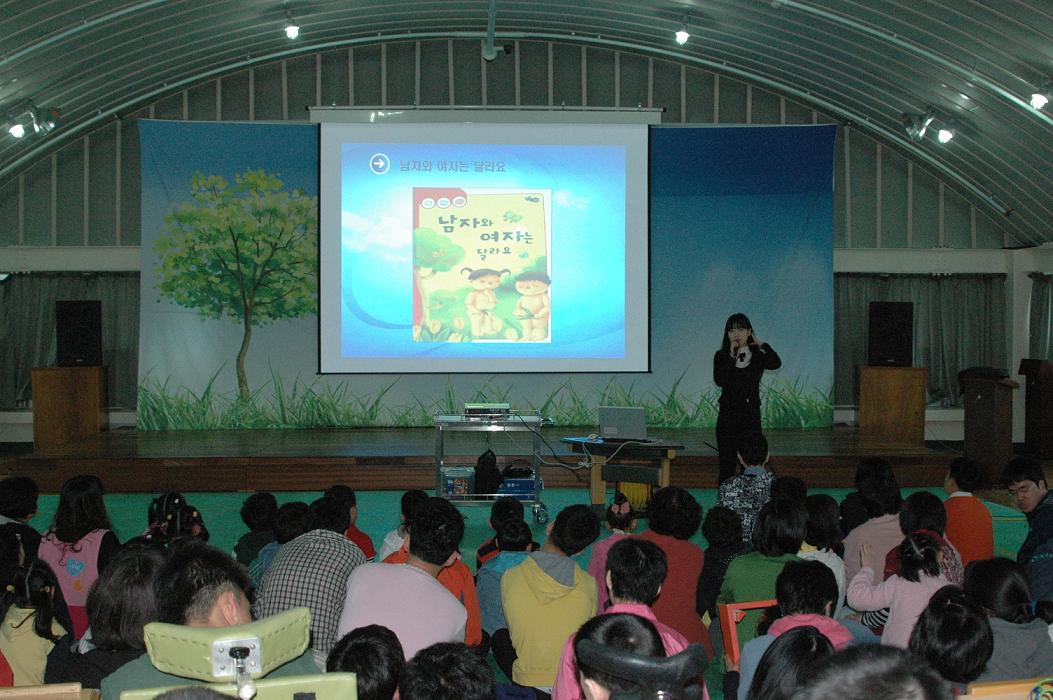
{"points": [[635, 572]]}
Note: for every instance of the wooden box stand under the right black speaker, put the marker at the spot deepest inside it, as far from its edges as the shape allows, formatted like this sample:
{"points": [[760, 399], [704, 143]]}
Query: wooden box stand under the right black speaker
{"points": [[892, 405]]}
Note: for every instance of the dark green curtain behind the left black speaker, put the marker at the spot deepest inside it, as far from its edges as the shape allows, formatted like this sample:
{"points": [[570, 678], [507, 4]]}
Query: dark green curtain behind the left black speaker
{"points": [[28, 330]]}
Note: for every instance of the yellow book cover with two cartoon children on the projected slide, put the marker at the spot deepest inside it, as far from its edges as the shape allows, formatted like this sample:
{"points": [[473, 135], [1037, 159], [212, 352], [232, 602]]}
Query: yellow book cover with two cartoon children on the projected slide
{"points": [[481, 266]]}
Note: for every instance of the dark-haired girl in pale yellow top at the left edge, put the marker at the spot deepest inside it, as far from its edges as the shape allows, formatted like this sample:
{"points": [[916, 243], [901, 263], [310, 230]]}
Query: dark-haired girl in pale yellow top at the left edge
{"points": [[29, 631]]}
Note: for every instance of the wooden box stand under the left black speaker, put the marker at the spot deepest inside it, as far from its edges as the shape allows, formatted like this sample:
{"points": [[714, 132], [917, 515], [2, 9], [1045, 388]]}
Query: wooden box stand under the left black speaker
{"points": [[68, 405]]}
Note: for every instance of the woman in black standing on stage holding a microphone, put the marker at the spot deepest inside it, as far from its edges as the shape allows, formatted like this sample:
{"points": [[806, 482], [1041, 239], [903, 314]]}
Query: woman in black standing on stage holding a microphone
{"points": [[737, 370]]}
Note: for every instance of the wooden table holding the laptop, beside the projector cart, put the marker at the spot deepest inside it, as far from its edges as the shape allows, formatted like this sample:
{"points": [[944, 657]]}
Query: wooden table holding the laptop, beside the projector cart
{"points": [[640, 463]]}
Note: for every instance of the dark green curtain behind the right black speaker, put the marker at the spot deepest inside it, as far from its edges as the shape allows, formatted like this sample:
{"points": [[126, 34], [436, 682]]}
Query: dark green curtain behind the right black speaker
{"points": [[960, 322]]}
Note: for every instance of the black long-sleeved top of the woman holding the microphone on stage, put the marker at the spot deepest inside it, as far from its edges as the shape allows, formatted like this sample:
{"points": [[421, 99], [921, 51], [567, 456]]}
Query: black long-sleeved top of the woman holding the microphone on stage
{"points": [[741, 388]]}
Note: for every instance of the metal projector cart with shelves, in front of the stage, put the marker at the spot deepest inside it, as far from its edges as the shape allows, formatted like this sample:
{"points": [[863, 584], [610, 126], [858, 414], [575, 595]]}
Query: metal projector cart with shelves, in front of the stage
{"points": [[511, 422]]}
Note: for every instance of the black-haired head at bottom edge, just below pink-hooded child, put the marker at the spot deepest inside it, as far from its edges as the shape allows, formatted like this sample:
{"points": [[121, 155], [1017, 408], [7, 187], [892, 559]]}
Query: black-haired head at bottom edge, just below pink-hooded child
{"points": [[788, 664]]}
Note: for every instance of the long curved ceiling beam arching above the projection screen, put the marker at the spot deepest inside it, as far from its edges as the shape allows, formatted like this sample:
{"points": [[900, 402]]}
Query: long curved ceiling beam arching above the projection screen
{"points": [[807, 97]]}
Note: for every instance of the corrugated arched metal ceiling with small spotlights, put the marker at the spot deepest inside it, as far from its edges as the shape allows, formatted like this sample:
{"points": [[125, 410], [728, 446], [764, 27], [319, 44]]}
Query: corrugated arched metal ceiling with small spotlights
{"points": [[867, 63]]}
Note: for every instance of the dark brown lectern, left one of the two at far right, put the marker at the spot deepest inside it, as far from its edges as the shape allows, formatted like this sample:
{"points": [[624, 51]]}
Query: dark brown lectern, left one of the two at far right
{"points": [[989, 425]]}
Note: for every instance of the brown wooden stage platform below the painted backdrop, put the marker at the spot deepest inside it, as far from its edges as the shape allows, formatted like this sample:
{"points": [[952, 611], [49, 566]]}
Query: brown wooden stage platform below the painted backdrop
{"points": [[373, 459]]}
